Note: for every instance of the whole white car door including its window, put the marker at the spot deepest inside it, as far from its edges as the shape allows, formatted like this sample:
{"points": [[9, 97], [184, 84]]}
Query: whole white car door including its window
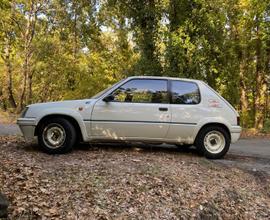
{"points": [[140, 110]]}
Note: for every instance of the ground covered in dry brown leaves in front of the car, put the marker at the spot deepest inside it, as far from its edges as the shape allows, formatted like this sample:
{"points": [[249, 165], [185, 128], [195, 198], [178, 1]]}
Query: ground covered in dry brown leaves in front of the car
{"points": [[127, 182]]}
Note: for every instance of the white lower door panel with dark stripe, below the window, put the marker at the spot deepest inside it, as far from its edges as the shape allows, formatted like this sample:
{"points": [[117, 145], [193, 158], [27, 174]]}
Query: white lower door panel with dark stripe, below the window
{"points": [[122, 121]]}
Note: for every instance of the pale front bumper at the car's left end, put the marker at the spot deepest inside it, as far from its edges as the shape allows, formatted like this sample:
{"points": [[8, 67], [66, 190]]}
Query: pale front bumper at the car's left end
{"points": [[27, 126]]}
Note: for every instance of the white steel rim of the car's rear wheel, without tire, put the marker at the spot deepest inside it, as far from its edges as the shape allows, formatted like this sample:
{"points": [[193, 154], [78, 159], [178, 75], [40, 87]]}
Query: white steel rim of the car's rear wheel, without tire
{"points": [[214, 142]]}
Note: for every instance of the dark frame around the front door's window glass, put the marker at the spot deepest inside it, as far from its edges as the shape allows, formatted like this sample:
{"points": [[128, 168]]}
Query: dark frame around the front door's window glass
{"points": [[168, 92]]}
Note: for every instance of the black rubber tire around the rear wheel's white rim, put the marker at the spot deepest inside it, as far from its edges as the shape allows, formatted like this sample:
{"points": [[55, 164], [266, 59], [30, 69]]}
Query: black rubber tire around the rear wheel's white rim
{"points": [[203, 150]]}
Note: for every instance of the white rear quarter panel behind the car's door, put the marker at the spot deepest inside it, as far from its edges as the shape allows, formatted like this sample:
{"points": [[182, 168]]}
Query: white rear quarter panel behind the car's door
{"points": [[187, 120]]}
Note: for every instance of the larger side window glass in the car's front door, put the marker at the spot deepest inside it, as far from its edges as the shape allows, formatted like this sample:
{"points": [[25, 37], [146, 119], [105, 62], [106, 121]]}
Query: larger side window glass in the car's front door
{"points": [[142, 91]]}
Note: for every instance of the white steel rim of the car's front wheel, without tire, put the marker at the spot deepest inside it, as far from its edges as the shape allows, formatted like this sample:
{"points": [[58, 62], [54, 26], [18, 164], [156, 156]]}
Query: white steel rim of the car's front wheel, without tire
{"points": [[54, 135]]}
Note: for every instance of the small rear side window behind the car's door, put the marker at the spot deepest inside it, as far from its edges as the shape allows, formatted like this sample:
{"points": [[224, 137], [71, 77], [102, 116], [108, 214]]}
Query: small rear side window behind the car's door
{"points": [[185, 92]]}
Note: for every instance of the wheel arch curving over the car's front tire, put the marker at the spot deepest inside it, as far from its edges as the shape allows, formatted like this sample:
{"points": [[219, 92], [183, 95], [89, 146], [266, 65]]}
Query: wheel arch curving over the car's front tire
{"points": [[69, 118]]}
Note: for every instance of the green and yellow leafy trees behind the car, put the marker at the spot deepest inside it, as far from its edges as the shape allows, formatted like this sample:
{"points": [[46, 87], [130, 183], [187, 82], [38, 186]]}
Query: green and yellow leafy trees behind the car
{"points": [[63, 49]]}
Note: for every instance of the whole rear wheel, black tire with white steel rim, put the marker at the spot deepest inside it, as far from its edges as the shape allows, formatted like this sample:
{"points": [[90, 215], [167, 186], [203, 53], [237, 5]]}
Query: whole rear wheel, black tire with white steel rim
{"points": [[213, 142]]}
